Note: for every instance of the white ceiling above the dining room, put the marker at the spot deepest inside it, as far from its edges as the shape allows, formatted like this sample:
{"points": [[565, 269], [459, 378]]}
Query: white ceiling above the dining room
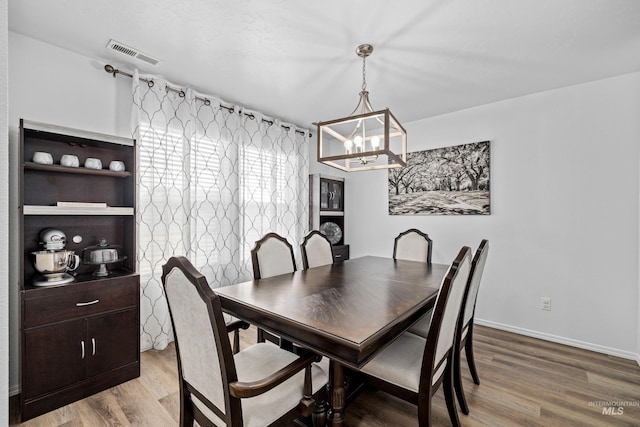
{"points": [[295, 60]]}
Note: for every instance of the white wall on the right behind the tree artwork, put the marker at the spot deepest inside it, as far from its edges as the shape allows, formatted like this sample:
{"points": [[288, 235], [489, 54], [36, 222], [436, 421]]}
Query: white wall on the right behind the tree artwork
{"points": [[564, 221]]}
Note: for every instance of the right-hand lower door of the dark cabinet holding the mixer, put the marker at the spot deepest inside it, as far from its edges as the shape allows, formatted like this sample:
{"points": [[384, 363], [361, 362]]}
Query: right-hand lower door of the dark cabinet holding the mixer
{"points": [[112, 341]]}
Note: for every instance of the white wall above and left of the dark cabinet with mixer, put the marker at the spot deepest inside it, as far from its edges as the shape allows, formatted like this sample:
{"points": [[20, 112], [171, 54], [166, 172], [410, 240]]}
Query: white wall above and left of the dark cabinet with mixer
{"points": [[53, 85]]}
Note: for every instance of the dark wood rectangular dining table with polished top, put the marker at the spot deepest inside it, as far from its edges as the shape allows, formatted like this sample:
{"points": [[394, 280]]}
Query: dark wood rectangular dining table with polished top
{"points": [[347, 312]]}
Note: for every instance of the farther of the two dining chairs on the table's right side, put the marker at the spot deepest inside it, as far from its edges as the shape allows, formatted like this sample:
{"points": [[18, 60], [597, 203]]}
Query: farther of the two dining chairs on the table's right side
{"points": [[465, 332]]}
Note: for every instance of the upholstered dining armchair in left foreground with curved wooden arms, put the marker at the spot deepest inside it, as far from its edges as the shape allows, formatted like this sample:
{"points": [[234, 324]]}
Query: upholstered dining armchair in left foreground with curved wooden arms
{"points": [[261, 385]]}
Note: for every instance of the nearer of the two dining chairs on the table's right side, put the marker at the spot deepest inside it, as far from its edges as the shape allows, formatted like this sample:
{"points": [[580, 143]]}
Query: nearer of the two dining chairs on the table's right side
{"points": [[412, 367]]}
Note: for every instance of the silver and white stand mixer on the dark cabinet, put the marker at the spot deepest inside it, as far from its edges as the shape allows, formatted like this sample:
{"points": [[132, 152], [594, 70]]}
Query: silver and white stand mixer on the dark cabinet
{"points": [[54, 261]]}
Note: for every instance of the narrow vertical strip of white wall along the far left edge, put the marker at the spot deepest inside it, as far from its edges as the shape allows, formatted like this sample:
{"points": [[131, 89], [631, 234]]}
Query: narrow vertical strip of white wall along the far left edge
{"points": [[4, 222]]}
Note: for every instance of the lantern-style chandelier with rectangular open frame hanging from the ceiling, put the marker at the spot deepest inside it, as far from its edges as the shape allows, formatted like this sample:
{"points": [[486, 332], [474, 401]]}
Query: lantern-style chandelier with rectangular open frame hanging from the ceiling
{"points": [[365, 139]]}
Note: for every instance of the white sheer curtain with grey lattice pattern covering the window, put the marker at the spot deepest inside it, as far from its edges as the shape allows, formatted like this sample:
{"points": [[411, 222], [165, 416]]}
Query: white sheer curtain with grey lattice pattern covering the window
{"points": [[210, 183]]}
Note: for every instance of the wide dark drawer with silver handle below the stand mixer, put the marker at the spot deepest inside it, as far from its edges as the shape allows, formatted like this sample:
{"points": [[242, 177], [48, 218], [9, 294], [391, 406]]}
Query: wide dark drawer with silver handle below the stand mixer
{"points": [[80, 300]]}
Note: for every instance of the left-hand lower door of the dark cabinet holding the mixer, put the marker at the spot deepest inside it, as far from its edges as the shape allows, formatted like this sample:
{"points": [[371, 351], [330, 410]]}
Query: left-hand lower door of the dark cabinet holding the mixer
{"points": [[54, 357]]}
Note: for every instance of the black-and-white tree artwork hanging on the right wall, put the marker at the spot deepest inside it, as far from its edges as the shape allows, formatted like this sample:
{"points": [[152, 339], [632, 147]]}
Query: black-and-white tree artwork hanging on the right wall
{"points": [[444, 181]]}
